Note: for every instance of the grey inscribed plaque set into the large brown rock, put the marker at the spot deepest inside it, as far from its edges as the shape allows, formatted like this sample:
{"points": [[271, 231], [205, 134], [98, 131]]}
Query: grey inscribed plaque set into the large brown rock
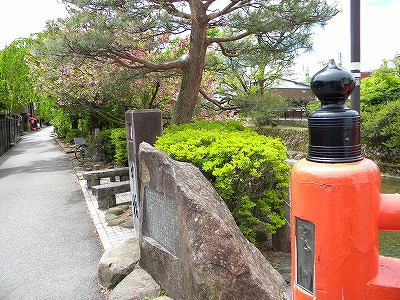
{"points": [[160, 219]]}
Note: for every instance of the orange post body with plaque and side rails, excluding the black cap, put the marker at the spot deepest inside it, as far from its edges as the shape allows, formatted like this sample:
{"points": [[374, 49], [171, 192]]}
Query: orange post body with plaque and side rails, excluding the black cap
{"points": [[337, 213]]}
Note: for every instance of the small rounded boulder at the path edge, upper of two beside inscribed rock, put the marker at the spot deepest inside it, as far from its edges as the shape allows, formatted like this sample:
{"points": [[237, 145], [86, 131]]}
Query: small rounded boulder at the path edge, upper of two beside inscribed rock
{"points": [[117, 263]]}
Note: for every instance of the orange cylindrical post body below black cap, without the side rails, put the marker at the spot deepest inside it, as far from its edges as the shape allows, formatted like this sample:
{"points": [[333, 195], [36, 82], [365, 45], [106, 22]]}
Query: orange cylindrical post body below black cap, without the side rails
{"points": [[342, 201]]}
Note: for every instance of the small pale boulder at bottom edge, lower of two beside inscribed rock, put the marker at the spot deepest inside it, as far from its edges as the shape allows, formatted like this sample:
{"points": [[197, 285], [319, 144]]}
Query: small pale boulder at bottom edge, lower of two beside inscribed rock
{"points": [[136, 286]]}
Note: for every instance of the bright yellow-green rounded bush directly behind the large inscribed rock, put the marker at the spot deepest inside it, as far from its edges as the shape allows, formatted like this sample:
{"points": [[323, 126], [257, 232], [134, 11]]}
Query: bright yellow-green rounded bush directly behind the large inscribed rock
{"points": [[247, 169]]}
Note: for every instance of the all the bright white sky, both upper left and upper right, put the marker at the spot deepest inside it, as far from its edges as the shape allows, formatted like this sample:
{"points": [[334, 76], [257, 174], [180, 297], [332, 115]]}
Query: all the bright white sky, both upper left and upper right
{"points": [[380, 38]]}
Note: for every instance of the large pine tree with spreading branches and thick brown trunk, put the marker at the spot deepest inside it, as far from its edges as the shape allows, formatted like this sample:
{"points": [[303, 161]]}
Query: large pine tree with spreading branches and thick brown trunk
{"points": [[131, 32]]}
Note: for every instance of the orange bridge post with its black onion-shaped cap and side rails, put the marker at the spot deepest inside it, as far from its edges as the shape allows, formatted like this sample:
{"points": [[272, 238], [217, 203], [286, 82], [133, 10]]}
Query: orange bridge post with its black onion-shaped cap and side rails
{"points": [[337, 208]]}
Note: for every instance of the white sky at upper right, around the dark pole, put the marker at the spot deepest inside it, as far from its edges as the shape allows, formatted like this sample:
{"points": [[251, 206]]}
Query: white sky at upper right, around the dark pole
{"points": [[380, 37]]}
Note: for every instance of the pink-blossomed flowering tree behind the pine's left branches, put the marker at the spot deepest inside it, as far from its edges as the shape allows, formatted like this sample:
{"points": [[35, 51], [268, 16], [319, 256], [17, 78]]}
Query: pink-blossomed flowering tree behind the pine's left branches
{"points": [[100, 88]]}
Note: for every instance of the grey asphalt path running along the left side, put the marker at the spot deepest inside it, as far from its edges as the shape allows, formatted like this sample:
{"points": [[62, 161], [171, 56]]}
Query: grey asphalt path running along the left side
{"points": [[47, 247]]}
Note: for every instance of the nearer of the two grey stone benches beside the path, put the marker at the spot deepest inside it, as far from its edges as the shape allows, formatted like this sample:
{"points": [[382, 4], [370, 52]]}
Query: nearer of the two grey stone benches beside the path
{"points": [[105, 193]]}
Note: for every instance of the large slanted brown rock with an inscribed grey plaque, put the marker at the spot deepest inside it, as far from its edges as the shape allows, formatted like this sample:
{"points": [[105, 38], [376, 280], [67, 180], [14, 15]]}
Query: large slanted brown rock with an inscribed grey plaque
{"points": [[208, 257]]}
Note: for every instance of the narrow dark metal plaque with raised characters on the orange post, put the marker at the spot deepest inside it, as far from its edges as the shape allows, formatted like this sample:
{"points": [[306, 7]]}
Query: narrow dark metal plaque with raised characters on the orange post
{"points": [[305, 249]]}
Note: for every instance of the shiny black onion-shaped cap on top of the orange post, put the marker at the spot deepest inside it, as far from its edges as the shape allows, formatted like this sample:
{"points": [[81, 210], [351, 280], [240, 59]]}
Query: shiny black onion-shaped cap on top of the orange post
{"points": [[334, 129]]}
